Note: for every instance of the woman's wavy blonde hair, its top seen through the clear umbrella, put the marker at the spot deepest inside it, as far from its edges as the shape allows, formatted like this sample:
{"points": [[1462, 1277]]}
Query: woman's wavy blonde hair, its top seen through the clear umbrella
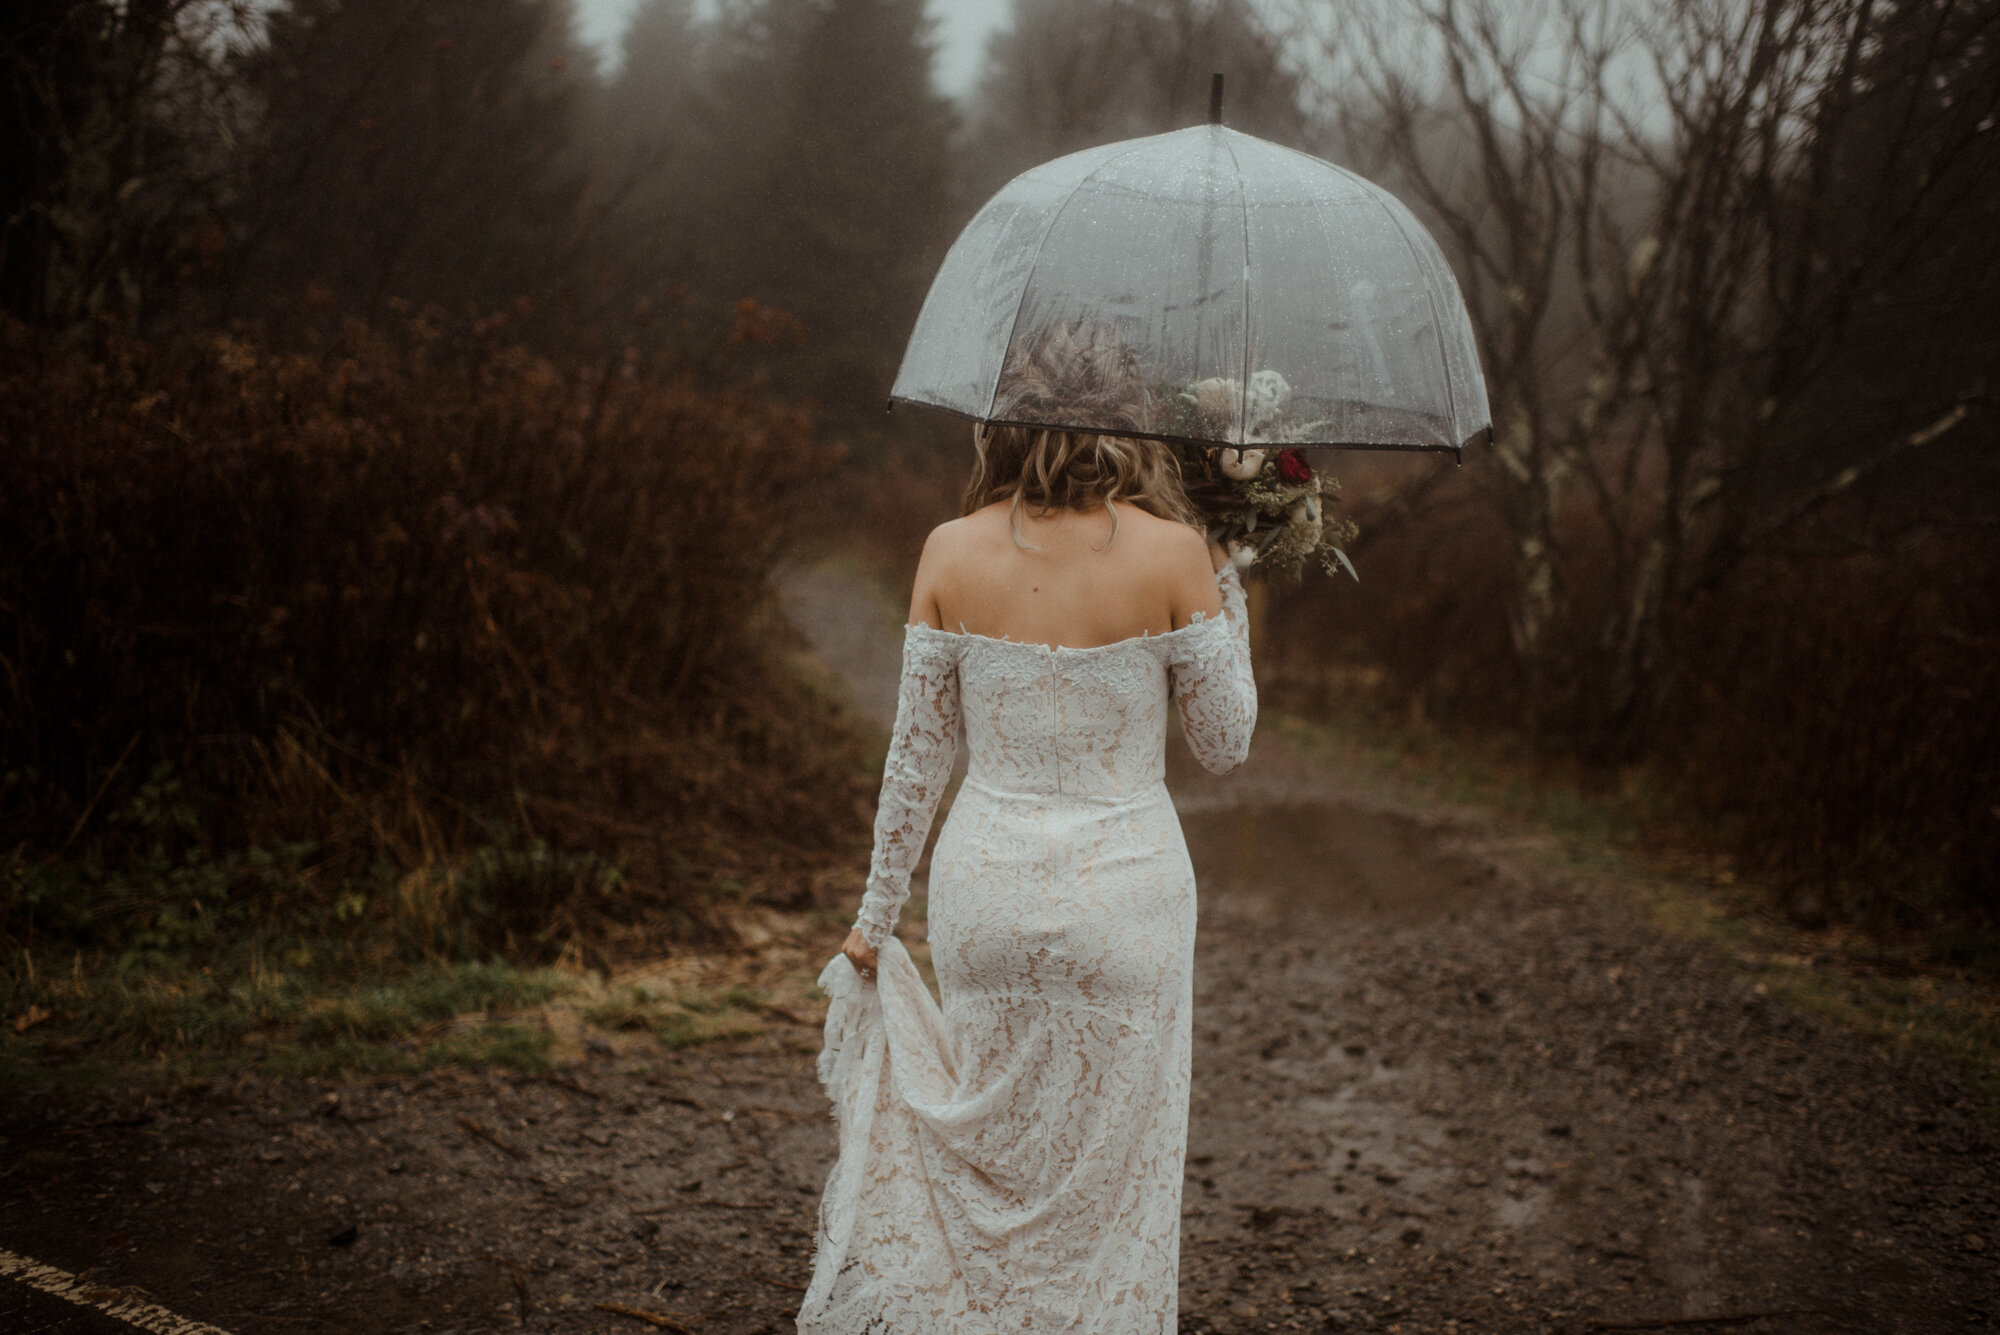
{"points": [[1075, 373]]}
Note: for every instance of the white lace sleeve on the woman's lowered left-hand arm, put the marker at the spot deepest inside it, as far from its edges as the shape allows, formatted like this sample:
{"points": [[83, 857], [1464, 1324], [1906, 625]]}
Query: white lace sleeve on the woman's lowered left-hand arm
{"points": [[921, 754]]}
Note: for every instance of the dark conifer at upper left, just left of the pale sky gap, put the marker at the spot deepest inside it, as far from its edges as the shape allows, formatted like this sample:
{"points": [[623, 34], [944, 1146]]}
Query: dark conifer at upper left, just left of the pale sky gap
{"points": [[413, 149]]}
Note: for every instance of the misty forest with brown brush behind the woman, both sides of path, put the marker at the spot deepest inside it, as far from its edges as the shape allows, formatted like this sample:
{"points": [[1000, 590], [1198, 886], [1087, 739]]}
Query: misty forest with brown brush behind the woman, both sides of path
{"points": [[405, 415]]}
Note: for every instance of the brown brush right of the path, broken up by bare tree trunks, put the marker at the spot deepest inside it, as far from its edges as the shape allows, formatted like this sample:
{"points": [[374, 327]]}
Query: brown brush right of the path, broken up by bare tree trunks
{"points": [[1833, 716]]}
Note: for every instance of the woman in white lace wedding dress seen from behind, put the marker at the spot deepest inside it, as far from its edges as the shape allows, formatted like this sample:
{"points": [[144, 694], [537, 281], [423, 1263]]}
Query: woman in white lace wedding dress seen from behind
{"points": [[1013, 1160]]}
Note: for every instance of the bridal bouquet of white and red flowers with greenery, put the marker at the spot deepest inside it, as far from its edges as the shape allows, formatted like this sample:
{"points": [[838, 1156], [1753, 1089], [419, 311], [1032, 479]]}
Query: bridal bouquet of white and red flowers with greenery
{"points": [[1263, 503]]}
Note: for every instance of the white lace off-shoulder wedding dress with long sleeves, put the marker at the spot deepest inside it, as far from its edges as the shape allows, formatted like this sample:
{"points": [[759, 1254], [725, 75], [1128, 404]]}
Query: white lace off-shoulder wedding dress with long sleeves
{"points": [[1013, 1162]]}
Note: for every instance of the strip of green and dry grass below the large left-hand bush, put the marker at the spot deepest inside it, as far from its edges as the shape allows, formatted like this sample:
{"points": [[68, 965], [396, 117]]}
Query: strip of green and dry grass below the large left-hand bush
{"points": [[179, 962]]}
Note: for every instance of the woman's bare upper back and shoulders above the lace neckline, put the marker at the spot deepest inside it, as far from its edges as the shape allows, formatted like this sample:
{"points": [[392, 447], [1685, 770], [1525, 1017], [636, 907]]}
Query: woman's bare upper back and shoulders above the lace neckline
{"points": [[1077, 583]]}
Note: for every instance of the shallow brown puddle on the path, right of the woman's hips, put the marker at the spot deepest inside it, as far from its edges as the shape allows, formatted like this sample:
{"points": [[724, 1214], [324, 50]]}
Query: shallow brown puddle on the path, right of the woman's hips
{"points": [[1329, 860]]}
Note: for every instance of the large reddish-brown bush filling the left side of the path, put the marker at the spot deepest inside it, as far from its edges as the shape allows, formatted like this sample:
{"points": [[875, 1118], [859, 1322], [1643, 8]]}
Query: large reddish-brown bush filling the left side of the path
{"points": [[409, 593]]}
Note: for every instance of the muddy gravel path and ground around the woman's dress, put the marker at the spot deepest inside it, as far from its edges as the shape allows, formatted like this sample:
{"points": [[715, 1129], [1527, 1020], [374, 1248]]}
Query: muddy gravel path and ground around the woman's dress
{"points": [[1435, 1090]]}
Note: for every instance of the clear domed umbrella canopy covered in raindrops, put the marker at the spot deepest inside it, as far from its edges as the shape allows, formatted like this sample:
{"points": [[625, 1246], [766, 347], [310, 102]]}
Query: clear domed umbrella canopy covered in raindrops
{"points": [[1269, 299]]}
